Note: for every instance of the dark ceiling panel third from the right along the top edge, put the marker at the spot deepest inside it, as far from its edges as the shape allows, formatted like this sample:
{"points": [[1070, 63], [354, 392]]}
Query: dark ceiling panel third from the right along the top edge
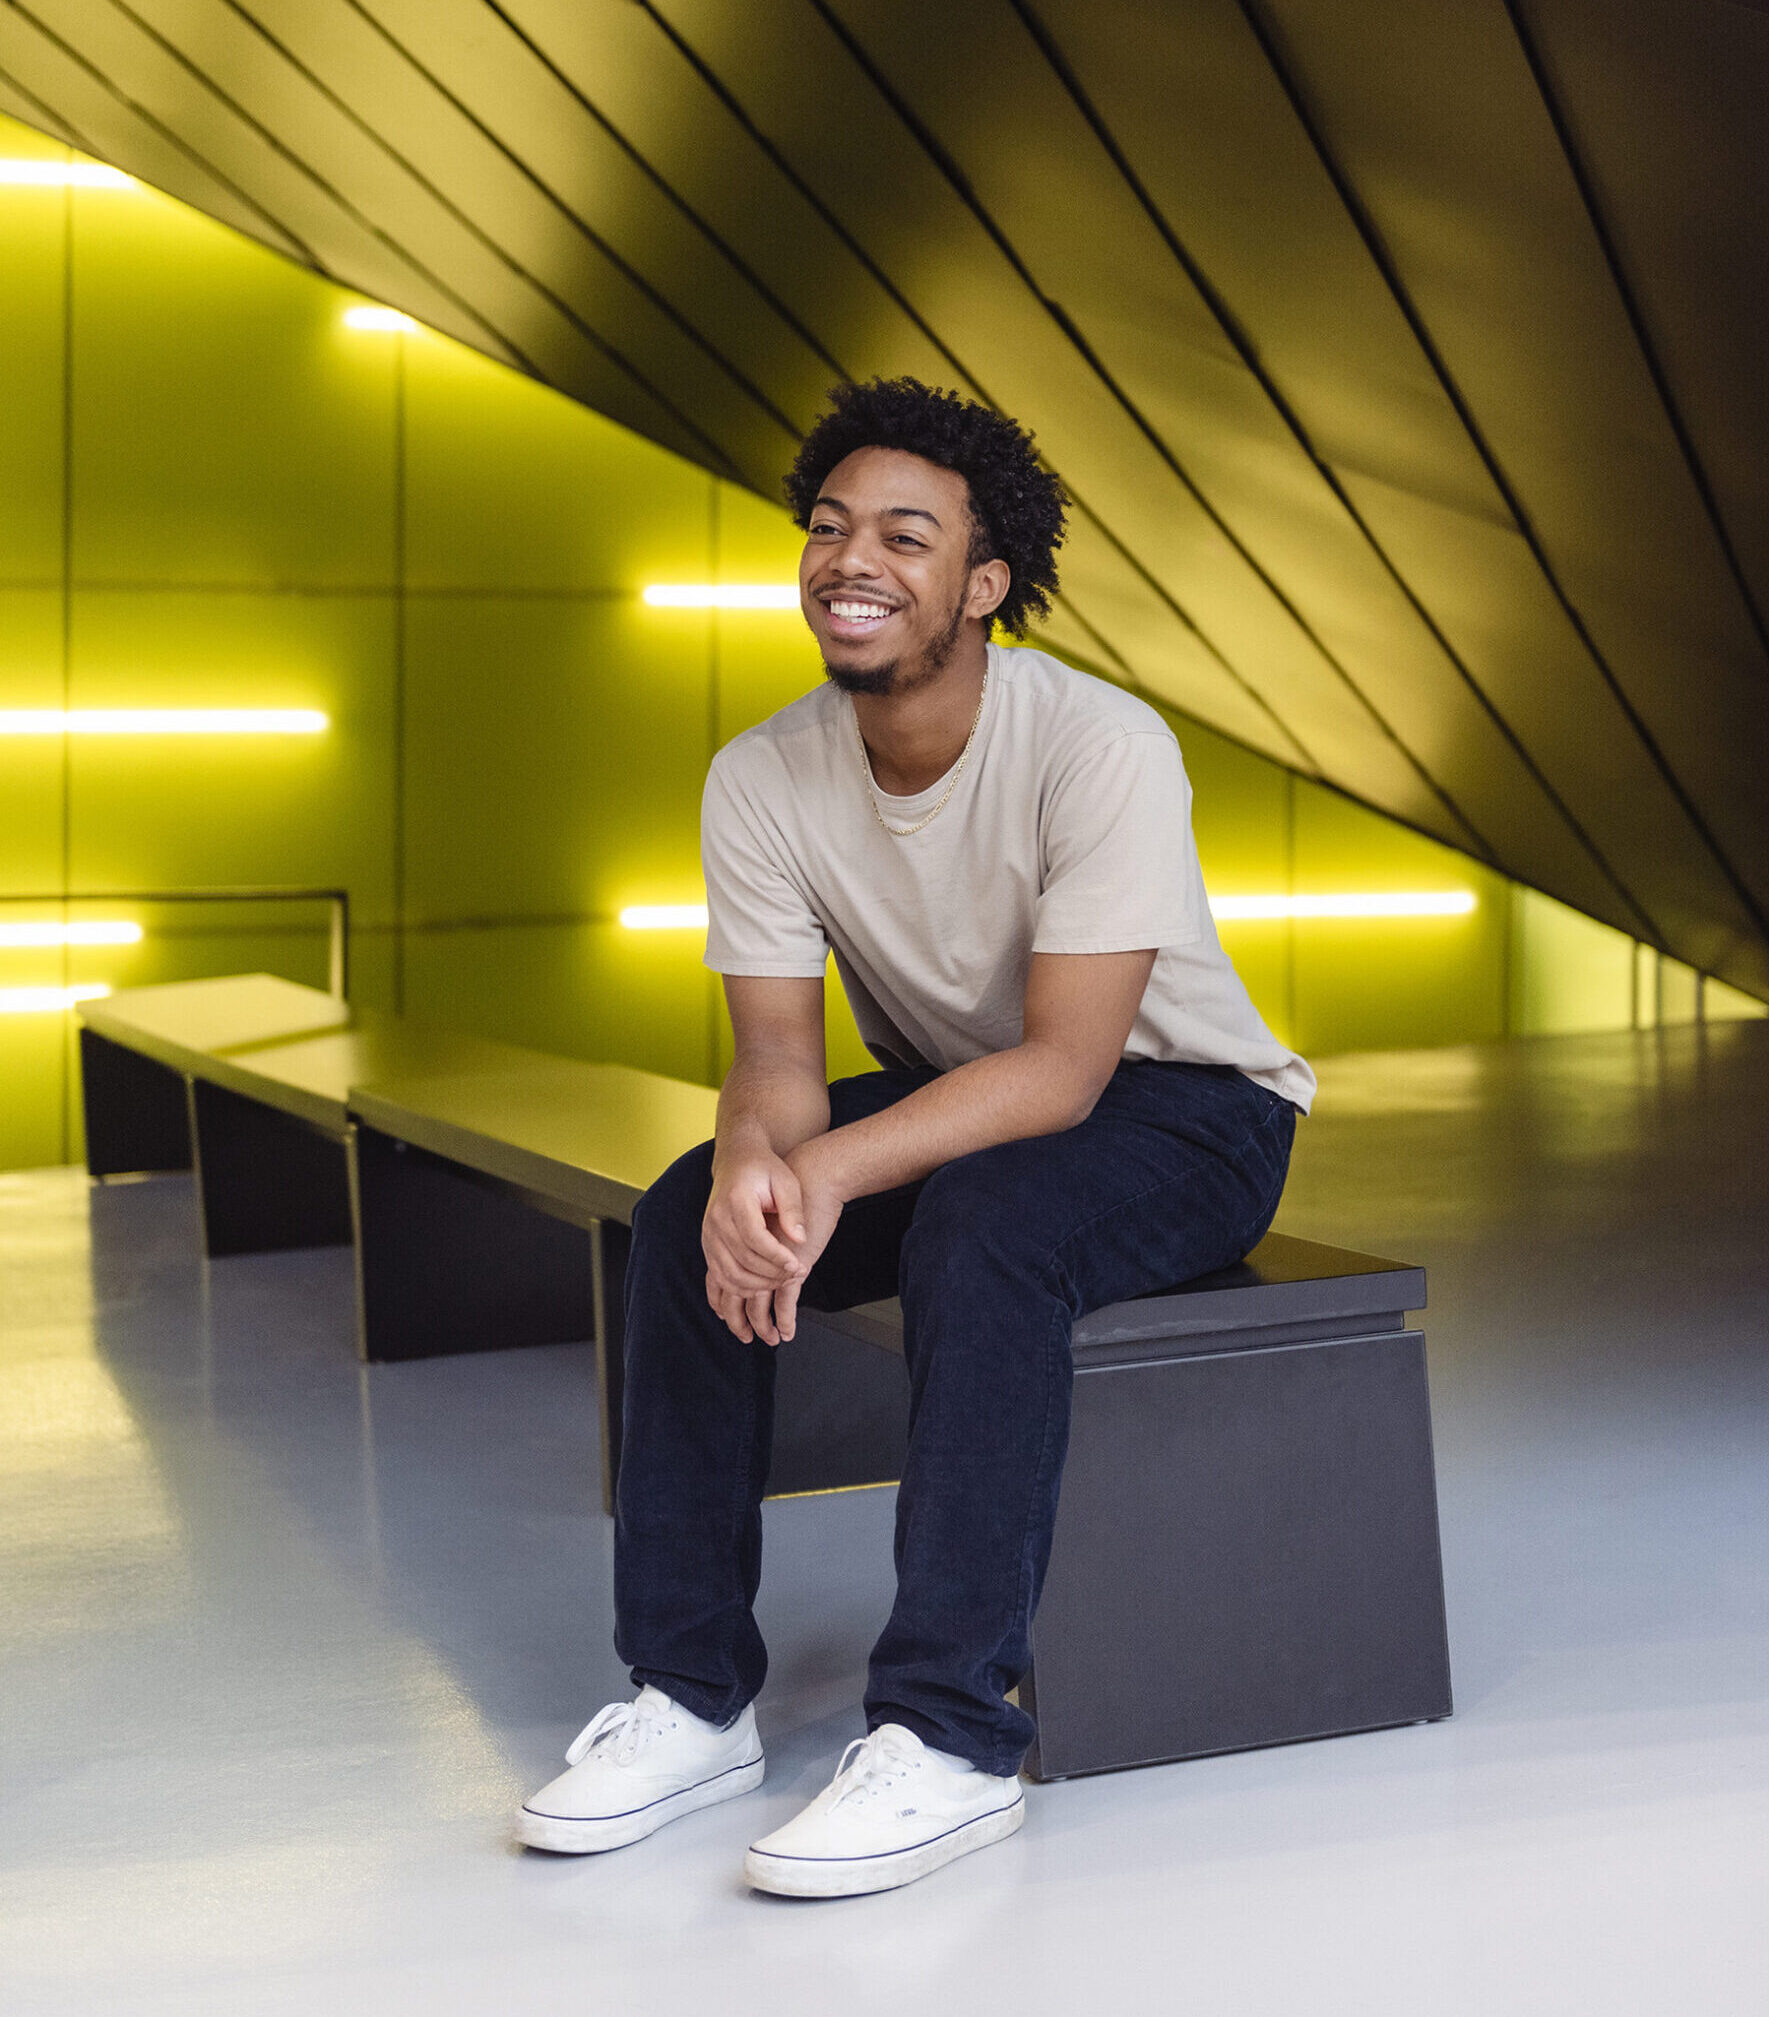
{"points": [[1179, 94]]}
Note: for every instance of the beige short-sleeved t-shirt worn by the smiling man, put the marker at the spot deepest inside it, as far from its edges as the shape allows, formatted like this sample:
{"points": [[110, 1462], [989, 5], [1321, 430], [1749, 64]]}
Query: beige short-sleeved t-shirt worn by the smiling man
{"points": [[1068, 832]]}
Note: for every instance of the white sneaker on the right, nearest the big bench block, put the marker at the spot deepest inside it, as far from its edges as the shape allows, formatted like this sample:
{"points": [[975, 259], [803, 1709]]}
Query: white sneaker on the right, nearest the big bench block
{"points": [[893, 1812]]}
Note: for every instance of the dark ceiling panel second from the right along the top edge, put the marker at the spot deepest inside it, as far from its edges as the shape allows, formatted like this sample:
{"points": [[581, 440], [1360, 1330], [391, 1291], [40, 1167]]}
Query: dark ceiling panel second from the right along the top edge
{"points": [[1441, 126]]}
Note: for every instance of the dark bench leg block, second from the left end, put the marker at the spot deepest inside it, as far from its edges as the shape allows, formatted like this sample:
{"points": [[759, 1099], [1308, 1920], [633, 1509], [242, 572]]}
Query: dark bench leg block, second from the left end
{"points": [[265, 1181]]}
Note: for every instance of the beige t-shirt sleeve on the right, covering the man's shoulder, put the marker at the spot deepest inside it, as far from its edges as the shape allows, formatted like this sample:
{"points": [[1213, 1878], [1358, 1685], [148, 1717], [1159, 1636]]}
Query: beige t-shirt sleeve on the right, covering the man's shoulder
{"points": [[1121, 864]]}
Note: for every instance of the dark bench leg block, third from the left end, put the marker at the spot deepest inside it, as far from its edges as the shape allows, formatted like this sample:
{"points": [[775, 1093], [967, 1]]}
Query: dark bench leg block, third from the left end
{"points": [[453, 1262]]}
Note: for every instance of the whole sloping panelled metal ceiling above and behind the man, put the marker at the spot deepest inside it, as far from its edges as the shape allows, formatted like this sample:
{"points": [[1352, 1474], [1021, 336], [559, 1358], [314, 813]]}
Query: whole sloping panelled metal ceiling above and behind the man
{"points": [[1403, 358]]}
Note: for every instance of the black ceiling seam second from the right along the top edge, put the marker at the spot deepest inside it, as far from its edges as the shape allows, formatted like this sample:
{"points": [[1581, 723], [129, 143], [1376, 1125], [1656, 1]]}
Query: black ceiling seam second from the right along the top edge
{"points": [[1377, 247]]}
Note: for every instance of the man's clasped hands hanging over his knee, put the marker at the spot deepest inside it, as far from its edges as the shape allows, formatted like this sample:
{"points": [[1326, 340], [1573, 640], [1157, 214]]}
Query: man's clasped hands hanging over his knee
{"points": [[765, 1227]]}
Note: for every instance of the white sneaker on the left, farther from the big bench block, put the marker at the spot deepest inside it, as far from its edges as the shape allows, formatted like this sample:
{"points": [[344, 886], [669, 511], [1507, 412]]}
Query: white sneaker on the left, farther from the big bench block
{"points": [[634, 1768]]}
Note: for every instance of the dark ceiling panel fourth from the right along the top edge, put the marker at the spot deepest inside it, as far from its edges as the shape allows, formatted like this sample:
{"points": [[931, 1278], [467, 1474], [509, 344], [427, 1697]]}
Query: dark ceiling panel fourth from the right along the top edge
{"points": [[1159, 340]]}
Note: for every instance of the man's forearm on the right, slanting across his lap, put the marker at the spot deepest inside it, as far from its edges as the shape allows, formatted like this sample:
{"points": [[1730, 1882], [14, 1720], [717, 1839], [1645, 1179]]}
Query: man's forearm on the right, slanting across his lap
{"points": [[1032, 1090]]}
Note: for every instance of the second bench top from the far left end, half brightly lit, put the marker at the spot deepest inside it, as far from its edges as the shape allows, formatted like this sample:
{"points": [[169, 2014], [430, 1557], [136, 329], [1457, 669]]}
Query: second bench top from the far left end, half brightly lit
{"points": [[314, 1076]]}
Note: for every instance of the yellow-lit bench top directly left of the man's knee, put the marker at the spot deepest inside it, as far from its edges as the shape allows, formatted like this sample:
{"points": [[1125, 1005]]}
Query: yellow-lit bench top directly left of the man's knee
{"points": [[594, 1137]]}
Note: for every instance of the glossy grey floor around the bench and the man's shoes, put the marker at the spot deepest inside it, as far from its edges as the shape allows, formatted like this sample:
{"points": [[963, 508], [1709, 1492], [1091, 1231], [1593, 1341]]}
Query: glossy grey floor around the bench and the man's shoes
{"points": [[285, 1641]]}
